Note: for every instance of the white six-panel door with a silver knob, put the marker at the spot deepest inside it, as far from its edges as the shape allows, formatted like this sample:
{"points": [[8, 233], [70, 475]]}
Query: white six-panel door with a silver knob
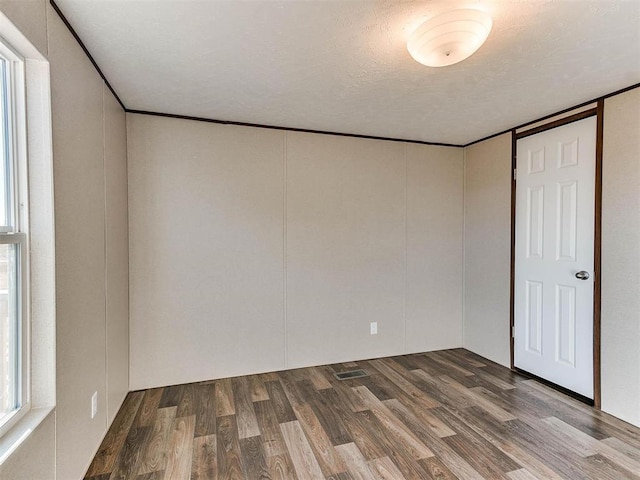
{"points": [[554, 253]]}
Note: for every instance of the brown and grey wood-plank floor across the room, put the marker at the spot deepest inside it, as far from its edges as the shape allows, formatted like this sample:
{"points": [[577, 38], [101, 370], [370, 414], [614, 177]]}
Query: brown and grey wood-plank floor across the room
{"points": [[440, 415]]}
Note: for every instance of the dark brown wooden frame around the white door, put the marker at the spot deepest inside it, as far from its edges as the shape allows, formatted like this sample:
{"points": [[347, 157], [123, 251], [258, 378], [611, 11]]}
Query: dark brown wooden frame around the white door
{"points": [[597, 111]]}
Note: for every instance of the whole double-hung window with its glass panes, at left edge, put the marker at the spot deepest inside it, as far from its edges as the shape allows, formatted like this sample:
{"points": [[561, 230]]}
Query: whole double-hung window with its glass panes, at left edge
{"points": [[14, 346]]}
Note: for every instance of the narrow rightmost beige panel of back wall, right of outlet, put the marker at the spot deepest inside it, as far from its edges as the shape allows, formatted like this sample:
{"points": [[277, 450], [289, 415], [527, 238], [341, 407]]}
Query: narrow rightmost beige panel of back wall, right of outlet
{"points": [[434, 247]]}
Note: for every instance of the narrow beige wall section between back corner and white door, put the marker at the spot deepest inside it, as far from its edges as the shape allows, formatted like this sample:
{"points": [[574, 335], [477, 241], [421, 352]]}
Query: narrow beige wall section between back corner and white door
{"points": [[487, 244]]}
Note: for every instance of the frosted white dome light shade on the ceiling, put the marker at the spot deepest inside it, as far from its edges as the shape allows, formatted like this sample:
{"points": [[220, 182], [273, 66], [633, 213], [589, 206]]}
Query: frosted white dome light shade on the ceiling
{"points": [[450, 37]]}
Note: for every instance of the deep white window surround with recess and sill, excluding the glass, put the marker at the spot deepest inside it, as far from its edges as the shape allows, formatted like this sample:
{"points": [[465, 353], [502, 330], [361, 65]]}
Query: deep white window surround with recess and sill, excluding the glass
{"points": [[35, 158]]}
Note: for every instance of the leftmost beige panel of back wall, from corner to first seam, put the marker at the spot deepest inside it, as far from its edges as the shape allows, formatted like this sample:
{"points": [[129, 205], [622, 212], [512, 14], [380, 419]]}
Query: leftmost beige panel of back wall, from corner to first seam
{"points": [[206, 247]]}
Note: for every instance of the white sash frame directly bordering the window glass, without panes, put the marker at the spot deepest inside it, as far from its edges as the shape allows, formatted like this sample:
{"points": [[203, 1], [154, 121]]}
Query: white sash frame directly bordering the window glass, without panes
{"points": [[17, 234]]}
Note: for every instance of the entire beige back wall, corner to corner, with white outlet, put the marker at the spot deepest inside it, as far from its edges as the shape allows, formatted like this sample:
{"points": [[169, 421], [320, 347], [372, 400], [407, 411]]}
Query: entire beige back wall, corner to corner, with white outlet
{"points": [[255, 250]]}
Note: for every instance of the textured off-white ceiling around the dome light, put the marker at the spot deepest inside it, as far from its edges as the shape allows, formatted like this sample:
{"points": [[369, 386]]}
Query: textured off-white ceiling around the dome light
{"points": [[342, 65]]}
